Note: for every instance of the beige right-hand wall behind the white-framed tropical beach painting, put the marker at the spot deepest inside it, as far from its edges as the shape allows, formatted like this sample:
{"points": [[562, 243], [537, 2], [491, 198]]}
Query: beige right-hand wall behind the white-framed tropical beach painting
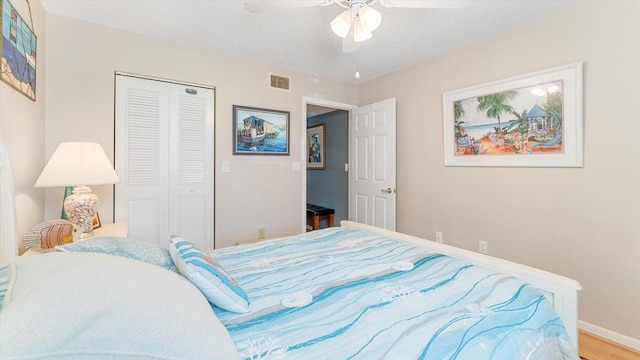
{"points": [[578, 222]]}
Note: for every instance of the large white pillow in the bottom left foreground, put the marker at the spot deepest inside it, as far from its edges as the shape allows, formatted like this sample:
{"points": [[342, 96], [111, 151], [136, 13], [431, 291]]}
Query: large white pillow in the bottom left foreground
{"points": [[91, 305]]}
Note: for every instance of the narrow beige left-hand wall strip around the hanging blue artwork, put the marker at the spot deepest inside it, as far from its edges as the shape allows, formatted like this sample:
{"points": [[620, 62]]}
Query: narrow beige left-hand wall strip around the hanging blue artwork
{"points": [[22, 129]]}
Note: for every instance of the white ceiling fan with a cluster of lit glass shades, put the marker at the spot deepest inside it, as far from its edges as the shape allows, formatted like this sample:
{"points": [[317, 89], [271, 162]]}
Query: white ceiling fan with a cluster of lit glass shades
{"points": [[359, 19]]}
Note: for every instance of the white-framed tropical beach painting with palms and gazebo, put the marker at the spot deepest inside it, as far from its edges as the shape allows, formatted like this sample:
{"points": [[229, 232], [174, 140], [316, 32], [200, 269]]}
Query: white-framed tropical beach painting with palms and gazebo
{"points": [[532, 120]]}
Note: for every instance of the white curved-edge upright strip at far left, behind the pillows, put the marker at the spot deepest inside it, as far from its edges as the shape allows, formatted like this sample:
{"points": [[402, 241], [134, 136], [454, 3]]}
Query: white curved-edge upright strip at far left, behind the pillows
{"points": [[7, 209]]}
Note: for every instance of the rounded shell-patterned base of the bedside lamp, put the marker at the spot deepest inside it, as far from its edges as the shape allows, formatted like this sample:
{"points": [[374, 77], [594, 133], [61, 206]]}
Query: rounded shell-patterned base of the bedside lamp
{"points": [[81, 207]]}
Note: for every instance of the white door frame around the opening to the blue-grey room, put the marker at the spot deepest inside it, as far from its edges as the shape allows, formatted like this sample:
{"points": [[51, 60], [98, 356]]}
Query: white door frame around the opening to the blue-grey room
{"points": [[303, 147]]}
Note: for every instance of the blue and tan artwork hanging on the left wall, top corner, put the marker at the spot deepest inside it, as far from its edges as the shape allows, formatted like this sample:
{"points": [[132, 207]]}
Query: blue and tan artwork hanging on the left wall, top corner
{"points": [[18, 50]]}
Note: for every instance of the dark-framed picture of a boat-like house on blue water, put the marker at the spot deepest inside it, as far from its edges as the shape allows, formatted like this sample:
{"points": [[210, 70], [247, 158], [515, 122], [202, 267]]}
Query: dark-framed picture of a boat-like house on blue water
{"points": [[260, 131]]}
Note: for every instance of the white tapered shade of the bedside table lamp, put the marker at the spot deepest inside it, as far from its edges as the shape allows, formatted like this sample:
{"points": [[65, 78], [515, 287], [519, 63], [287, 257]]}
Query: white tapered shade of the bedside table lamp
{"points": [[78, 163]]}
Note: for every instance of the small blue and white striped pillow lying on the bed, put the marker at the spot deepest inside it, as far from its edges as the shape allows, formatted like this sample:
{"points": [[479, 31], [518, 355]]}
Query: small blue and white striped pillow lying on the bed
{"points": [[206, 273]]}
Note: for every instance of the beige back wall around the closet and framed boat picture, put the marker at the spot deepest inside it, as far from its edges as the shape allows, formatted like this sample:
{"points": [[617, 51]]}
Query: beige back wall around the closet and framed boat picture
{"points": [[260, 191]]}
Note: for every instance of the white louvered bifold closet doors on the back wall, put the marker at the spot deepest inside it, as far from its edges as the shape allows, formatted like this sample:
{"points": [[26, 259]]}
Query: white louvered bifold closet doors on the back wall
{"points": [[164, 156]]}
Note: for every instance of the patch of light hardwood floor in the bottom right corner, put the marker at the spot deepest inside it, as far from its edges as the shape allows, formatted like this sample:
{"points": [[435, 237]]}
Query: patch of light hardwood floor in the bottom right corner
{"points": [[594, 347]]}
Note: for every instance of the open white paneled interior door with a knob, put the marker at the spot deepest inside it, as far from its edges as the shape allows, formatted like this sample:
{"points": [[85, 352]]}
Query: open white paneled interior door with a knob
{"points": [[372, 174]]}
